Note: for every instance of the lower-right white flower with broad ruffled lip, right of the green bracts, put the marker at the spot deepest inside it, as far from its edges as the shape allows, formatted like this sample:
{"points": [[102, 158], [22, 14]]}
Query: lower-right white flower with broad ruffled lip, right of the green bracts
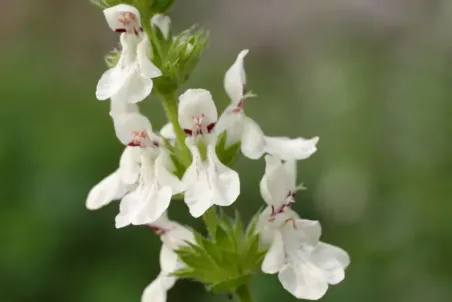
{"points": [[305, 266]]}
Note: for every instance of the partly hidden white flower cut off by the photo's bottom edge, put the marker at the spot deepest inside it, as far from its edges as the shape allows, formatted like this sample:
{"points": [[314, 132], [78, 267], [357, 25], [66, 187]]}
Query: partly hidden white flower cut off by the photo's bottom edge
{"points": [[173, 236]]}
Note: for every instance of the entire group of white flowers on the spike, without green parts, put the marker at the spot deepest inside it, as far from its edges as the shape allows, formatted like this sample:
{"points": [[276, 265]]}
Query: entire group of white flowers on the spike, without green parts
{"points": [[145, 181]]}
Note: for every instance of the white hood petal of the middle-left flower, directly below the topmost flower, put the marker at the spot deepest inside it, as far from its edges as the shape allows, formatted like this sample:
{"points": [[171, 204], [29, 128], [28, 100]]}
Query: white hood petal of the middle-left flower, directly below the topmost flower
{"points": [[125, 125]]}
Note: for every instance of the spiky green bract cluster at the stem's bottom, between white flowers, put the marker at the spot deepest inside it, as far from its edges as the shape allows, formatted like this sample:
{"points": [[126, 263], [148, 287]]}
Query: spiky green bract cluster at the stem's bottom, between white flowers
{"points": [[227, 258]]}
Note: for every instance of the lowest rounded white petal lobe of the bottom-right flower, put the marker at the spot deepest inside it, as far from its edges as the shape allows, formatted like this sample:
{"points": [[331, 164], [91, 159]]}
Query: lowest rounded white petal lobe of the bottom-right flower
{"points": [[303, 281]]}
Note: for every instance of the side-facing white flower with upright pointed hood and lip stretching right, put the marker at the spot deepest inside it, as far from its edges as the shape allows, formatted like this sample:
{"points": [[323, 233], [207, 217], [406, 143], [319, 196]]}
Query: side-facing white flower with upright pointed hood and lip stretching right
{"points": [[241, 128]]}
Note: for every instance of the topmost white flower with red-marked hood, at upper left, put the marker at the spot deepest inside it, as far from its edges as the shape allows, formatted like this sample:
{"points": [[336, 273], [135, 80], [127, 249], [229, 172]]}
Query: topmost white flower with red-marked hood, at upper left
{"points": [[130, 81]]}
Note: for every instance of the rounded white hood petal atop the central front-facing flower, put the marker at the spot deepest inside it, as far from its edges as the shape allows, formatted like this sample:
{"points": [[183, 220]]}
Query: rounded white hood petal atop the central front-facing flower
{"points": [[194, 103]]}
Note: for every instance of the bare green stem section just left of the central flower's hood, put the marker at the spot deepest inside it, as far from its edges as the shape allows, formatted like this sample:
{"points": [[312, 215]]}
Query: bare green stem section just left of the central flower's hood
{"points": [[170, 105]]}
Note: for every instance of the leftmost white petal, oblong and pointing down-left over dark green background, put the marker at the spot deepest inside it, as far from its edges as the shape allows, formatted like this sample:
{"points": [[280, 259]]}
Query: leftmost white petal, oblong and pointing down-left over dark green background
{"points": [[109, 189]]}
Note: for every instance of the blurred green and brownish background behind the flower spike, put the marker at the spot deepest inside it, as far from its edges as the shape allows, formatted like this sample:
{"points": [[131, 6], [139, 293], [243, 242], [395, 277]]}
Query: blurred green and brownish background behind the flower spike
{"points": [[372, 78]]}
